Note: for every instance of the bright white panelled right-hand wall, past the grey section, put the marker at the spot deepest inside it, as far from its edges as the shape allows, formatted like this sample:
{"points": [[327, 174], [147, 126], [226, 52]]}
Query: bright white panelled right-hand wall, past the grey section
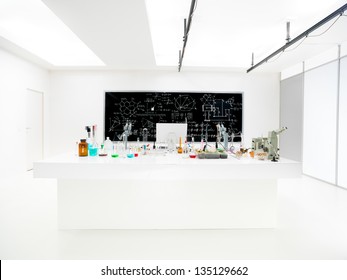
{"points": [[325, 117]]}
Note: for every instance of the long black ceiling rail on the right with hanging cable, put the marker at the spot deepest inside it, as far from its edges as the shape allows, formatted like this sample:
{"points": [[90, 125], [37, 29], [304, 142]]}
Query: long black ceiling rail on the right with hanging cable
{"points": [[338, 12]]}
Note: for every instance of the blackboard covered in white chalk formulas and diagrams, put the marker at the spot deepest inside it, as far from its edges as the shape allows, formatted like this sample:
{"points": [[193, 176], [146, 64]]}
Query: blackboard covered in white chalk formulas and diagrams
{"points": [[201, 111]]}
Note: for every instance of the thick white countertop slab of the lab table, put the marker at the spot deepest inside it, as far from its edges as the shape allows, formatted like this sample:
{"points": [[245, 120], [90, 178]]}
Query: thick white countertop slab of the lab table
{"points": [[165, 166]]}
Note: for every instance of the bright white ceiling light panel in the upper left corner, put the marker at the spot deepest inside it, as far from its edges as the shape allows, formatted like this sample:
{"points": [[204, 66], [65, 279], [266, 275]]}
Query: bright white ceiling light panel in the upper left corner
{"points": [[32, 26]]}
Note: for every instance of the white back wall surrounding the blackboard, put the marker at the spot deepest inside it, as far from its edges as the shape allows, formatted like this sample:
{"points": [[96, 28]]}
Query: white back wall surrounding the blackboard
{"points": [[77, 98]]}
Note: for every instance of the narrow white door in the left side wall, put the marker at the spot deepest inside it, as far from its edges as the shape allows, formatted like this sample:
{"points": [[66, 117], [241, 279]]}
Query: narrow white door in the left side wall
{"points": [[34, 127]]}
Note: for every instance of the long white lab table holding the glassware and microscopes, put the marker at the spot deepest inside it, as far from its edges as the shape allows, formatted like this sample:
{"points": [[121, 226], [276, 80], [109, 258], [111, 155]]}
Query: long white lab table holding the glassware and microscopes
{"points": [[165, 191]]}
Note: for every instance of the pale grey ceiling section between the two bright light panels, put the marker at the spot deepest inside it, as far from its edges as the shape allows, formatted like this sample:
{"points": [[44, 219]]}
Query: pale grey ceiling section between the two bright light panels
{"points": [[117, 31]]}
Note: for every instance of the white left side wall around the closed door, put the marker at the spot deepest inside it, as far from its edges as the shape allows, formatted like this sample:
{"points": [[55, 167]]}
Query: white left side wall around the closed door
{"points": [[16, 76]]}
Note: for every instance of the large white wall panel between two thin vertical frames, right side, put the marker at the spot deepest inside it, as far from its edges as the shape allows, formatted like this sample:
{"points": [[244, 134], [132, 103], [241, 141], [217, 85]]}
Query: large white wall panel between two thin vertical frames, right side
{"points": [[320, 116]]}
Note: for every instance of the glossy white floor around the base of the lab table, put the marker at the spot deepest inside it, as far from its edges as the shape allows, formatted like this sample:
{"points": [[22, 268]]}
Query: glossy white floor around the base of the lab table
{"points": [[312, 224]]}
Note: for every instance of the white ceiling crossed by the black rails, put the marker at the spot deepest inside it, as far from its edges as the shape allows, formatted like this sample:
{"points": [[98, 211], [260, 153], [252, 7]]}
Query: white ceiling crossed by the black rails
{"points": [[147, 34]]}
